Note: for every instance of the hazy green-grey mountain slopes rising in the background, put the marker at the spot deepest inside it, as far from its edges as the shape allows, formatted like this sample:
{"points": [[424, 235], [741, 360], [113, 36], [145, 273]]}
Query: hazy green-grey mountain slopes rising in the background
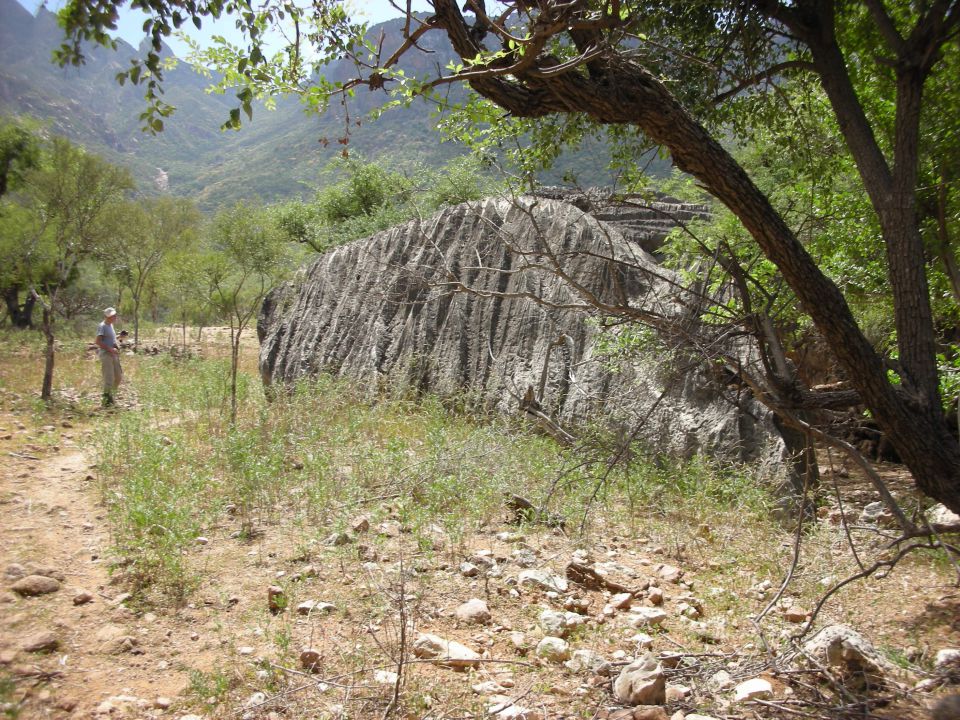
{"points": [[278, 155]]}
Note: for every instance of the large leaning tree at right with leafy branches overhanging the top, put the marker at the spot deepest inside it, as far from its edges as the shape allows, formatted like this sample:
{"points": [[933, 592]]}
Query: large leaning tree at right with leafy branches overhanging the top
{"points": [[684, 77]]}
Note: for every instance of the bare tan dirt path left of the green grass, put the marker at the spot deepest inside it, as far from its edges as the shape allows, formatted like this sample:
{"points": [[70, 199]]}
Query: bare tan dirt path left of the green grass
{"points": [[53, 526]]}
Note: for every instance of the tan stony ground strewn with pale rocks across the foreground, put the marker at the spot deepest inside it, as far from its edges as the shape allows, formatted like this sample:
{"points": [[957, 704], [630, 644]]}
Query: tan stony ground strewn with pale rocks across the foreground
{"points": [[513, 622]]}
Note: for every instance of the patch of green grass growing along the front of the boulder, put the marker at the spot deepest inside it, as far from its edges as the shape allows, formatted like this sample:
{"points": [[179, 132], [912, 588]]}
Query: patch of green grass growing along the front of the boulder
{"points": [[328, 451]]}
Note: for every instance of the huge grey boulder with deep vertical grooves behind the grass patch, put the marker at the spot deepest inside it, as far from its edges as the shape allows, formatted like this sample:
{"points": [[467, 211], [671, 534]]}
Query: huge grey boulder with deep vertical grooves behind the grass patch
{"points": [[504, 300]]}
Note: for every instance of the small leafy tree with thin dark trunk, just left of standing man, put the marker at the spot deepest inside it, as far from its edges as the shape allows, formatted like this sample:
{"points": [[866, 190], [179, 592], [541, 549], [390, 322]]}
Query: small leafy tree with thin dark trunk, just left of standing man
{"points": [[69, 201]]}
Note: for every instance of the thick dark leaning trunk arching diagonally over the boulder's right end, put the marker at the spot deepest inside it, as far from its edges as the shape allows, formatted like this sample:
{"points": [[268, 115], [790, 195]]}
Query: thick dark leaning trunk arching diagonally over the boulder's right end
{"points": [[622, 92]]}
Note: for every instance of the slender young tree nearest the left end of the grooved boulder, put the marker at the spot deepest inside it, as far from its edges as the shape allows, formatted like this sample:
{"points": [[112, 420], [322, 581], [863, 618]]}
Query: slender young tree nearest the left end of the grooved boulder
{"points": [[247, 257]]}
